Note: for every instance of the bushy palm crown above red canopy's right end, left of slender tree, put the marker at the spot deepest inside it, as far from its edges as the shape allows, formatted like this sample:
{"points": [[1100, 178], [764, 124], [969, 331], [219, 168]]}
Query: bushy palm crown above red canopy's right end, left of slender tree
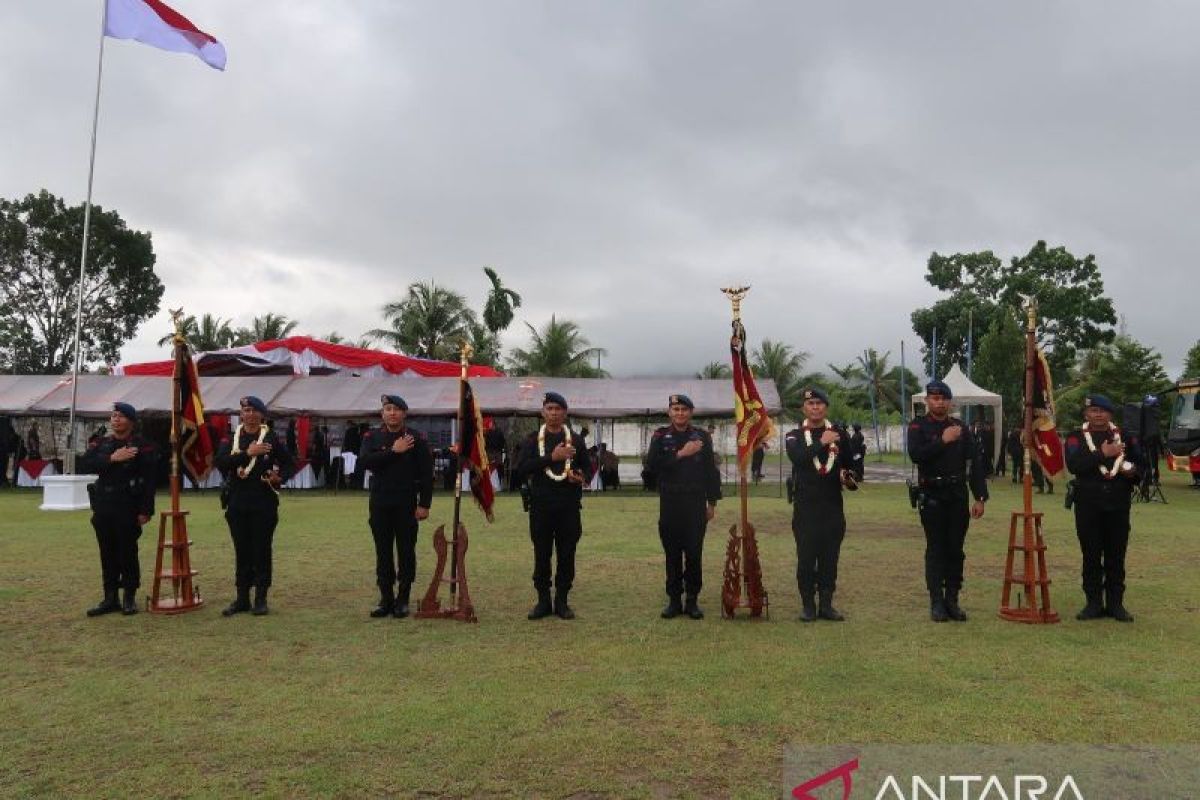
{"points": [[429, 323]]}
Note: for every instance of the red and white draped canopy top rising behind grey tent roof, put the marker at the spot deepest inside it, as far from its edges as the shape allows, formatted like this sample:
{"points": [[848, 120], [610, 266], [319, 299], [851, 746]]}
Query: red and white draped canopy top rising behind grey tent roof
{"points": [[303, 356]]}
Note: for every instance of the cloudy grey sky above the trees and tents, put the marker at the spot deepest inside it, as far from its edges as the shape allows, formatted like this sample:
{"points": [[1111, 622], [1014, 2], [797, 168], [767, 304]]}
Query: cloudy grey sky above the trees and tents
{"points": [[617, 163]]}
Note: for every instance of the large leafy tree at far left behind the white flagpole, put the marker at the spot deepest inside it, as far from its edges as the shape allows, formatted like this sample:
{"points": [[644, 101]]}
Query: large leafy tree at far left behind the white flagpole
{"points": [[40, 243]]}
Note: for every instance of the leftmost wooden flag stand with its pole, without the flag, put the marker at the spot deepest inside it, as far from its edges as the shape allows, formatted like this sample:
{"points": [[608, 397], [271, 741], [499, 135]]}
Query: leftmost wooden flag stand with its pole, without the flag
{"points": [[185, 597]]}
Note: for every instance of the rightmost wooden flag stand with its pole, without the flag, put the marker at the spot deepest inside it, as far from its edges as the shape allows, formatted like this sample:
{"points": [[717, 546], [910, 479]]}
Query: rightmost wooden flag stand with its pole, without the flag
{"points": [[1034, 605]]}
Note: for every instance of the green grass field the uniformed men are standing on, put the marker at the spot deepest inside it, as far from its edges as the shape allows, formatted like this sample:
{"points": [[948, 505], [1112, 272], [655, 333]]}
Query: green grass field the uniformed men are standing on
{"points": [[319, 700]]}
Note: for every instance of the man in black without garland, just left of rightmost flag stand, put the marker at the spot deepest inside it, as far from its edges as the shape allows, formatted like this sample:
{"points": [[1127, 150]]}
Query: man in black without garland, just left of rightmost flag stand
{"points": [[947, 468]]}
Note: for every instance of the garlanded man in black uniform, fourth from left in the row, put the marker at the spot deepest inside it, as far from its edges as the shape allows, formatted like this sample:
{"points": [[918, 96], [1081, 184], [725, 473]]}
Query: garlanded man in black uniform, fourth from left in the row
{"points": [[556, 470]]}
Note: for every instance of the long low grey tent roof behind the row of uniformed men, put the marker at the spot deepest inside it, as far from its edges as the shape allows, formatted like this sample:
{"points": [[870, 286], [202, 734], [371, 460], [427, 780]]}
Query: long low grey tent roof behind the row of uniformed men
{"points": [[350, 396]]}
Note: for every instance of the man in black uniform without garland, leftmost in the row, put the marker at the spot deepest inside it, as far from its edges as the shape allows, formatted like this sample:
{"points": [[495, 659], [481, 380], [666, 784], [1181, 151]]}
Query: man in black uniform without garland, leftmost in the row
{"points": [[122, 502]]}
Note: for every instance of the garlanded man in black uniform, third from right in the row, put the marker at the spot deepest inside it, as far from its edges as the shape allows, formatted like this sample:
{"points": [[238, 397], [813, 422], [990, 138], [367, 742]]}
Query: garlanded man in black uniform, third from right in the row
{"points": [[823, 462]]}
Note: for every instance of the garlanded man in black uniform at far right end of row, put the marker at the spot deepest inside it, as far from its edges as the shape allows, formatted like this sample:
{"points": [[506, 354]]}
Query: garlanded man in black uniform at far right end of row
{"points": [[1107, 468]]}
